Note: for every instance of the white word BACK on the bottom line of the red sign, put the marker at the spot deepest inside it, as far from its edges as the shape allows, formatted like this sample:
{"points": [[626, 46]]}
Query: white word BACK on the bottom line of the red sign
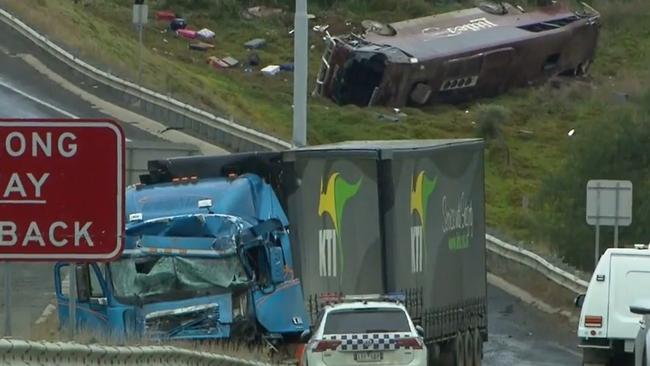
{"points": [[57, 232]]}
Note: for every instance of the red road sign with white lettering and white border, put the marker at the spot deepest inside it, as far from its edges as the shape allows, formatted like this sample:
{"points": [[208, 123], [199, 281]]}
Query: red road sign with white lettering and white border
{"points": [[61, 190]]}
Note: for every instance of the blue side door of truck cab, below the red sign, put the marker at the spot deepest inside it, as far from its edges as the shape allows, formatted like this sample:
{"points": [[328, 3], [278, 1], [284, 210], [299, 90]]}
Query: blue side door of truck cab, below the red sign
{"points": [[92, 304]]}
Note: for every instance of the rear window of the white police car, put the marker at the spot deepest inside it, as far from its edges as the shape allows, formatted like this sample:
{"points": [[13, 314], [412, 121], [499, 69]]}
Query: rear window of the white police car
{"points": [[366, 321]]}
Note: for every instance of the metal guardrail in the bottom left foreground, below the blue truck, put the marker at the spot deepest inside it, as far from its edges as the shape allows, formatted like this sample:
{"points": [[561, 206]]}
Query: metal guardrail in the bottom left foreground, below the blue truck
{"points": [[21, 352]]}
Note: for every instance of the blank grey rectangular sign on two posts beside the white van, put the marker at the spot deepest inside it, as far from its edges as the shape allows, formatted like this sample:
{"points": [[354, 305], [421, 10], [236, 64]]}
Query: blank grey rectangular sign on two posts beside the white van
{"points": [[609, 203]]}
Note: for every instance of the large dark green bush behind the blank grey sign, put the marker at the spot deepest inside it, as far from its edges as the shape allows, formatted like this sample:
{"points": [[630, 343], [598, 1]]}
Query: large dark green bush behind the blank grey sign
{"points": [[614, 146]]}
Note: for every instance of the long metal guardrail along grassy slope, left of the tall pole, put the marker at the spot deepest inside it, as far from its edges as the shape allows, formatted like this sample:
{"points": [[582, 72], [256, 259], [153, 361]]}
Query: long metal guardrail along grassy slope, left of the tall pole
{"points": [[200, 123]]}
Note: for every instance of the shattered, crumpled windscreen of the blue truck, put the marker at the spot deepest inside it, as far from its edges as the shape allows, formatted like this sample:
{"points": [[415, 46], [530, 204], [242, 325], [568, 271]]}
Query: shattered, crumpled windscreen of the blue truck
{"points": [[152, 278]]}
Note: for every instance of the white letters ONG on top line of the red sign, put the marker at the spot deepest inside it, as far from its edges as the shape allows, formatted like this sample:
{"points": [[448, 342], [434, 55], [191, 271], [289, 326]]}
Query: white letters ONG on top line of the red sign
{"points": [[18, 144]]}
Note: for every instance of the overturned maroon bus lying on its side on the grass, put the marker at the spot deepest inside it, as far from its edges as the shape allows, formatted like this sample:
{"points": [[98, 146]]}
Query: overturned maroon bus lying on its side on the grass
{"points": [[457, 56]]}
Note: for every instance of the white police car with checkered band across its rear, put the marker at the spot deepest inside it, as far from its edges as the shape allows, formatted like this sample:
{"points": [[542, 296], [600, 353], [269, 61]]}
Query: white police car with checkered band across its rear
{"points": [[364, 330]]}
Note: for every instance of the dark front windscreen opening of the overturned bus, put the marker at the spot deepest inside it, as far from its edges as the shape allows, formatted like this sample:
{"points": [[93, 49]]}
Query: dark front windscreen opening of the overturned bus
{"points": [[361, 74]]}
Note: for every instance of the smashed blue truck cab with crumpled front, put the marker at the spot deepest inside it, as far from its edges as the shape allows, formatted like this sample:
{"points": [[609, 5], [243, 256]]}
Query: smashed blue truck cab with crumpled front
{"points": [[204, 259]]}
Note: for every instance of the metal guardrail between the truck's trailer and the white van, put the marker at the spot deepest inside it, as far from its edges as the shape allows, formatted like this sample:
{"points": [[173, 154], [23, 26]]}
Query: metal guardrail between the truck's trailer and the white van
{"points": [[536, 263]]}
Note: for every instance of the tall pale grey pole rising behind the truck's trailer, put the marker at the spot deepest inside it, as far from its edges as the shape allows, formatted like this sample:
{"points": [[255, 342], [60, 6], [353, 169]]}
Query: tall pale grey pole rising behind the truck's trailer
{"points": [[300, 74]]}
